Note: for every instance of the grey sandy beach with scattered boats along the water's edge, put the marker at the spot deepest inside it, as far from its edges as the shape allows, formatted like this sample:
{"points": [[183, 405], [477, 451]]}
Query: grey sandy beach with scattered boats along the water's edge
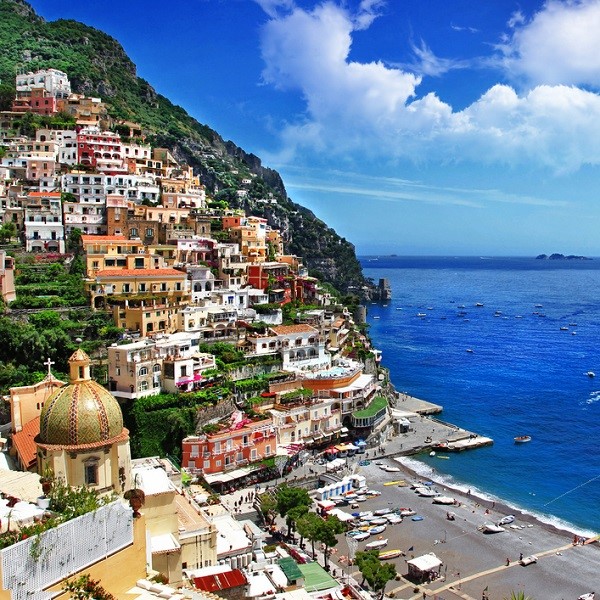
{"points": [[474, 561]]}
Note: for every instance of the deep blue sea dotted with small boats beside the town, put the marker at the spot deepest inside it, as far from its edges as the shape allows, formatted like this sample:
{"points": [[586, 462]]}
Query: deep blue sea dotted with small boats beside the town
{"points": [[515, 366]]}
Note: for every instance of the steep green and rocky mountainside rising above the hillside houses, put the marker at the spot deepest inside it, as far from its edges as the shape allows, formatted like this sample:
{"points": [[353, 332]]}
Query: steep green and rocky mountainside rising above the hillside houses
{"points": [[97, 65]]}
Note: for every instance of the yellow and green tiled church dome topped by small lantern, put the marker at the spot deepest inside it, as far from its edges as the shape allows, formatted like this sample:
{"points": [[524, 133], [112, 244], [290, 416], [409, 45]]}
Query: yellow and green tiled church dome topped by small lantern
{"points": [[82, 412]]}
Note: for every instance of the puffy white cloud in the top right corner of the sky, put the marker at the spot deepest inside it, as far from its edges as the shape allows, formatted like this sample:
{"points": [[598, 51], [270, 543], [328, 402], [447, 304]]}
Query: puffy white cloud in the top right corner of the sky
{"points": [[559, 45]]}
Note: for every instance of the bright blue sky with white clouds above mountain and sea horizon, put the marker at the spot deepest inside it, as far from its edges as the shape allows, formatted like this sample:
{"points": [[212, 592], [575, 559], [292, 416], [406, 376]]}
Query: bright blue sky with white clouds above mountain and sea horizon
{"points": [[411, 127]]}
